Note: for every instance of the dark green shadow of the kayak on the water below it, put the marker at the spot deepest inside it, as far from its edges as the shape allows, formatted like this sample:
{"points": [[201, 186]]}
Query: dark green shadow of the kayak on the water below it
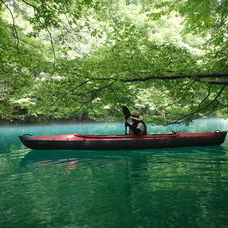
{"points": [[37, 158]]}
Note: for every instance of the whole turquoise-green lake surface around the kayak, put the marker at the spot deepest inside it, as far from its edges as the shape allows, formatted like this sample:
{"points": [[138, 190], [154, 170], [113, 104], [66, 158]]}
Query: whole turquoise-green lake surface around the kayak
{"points": [[180, 187]]}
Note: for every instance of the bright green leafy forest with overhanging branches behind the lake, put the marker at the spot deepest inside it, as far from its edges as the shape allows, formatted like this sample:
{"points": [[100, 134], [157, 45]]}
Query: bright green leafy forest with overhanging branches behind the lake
{"points": [[85, 59]]}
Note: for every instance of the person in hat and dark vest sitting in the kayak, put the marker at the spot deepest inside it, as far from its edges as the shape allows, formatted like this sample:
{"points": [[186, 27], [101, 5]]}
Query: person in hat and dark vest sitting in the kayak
{"points": [[138, 126]]}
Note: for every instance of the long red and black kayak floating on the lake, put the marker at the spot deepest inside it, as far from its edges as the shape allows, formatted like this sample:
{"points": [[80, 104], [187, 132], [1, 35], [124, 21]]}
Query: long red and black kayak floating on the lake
{"points": [[121, 142]]}
